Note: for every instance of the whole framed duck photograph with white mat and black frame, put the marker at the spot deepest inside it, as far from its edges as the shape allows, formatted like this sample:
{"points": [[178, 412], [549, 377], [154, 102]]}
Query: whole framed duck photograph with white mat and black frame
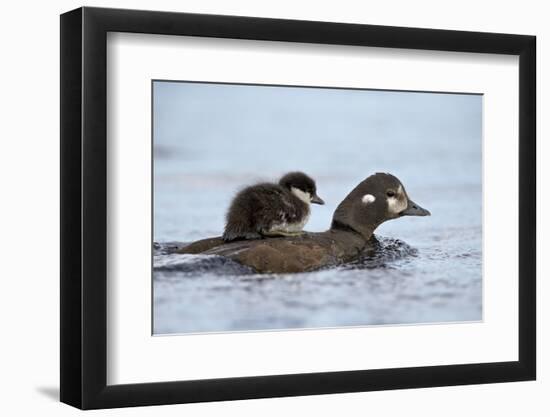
{"points": [[258, 208]]}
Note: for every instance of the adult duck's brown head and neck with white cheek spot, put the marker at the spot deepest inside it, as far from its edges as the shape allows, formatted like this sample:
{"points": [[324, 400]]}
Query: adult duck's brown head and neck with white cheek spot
{"points": [[378, 198]]}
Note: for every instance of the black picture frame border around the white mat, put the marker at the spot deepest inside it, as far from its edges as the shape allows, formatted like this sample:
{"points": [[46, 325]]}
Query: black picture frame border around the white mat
{"points": [[84, 207]]}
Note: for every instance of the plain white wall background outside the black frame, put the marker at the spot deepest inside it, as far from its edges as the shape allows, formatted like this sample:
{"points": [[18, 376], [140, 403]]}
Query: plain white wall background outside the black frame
{"points": [[29, 173]]}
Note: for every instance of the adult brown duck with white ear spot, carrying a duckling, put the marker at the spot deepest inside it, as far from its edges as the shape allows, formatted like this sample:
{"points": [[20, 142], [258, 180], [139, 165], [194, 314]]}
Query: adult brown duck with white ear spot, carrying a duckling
{"points": [[378, 198]]}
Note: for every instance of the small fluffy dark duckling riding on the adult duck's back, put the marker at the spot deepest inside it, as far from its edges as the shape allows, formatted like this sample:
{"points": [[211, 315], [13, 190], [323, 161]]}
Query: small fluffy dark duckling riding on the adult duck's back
{"points": [[270, 209]]}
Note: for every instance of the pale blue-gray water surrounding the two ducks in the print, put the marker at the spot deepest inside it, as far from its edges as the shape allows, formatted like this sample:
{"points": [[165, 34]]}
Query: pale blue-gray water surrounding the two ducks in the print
{"points": [[211, 140]]}
